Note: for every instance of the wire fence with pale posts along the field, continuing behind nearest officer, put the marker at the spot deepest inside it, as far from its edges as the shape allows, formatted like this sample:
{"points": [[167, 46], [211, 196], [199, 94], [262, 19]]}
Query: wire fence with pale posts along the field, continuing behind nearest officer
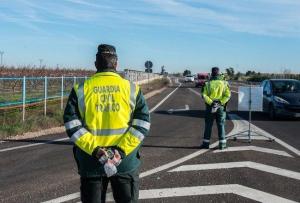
{"points": [[24, 95]]}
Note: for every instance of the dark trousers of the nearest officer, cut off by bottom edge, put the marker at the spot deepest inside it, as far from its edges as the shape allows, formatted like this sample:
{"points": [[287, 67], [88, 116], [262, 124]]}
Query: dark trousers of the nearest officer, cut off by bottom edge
{"points": [[125, 188]]}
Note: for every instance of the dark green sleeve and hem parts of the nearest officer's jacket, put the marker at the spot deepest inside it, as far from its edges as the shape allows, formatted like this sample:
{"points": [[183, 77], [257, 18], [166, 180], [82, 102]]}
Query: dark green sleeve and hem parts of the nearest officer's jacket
{"points": [[89, 166]]}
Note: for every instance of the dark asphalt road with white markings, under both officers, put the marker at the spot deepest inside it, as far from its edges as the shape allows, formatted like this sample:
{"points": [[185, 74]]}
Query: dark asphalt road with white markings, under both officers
{"points": [[174, 169]]}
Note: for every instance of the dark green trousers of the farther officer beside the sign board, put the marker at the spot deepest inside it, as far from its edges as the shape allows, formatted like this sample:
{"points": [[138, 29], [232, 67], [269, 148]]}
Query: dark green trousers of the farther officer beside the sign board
{"points": [[220, 116]]}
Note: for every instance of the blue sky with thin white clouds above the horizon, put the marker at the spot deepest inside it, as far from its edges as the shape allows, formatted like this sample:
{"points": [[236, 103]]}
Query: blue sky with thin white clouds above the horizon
{"points": [[259, 35]]}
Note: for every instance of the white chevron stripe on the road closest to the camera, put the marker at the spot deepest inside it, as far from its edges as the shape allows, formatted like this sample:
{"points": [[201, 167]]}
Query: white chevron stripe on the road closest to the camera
{"points": [[240, 190]]}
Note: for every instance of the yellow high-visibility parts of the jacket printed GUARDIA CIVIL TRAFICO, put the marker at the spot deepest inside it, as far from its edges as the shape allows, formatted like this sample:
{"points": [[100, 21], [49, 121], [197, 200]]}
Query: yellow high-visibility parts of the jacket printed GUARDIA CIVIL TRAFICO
{"points": [[106, 102]]}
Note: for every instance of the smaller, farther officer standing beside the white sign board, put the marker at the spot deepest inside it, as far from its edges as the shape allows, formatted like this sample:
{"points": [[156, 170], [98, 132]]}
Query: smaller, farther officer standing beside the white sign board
{"points": [[216, 94]]}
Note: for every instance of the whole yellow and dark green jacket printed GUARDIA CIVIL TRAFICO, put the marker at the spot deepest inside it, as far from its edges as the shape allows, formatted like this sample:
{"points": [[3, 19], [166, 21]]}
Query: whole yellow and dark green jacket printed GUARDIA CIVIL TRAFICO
{"points": [[106, 111]]}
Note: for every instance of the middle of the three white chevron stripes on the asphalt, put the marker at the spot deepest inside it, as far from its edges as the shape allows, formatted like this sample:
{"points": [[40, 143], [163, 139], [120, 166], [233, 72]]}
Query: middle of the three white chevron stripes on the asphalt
{"points": [[248, 164]]}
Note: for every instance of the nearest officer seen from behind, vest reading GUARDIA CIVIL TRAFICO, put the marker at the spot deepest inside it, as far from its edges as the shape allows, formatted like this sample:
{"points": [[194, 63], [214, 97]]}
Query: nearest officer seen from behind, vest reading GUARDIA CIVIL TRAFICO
{"points": [[107, 118]]}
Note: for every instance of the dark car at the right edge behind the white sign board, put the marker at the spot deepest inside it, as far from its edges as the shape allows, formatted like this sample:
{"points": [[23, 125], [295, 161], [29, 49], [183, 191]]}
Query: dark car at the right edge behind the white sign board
{"points": [[281, 97]]}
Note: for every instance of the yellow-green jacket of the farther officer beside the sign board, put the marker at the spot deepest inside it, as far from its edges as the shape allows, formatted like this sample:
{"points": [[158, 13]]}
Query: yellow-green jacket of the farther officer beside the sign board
{"points": [[216, 89]]}
